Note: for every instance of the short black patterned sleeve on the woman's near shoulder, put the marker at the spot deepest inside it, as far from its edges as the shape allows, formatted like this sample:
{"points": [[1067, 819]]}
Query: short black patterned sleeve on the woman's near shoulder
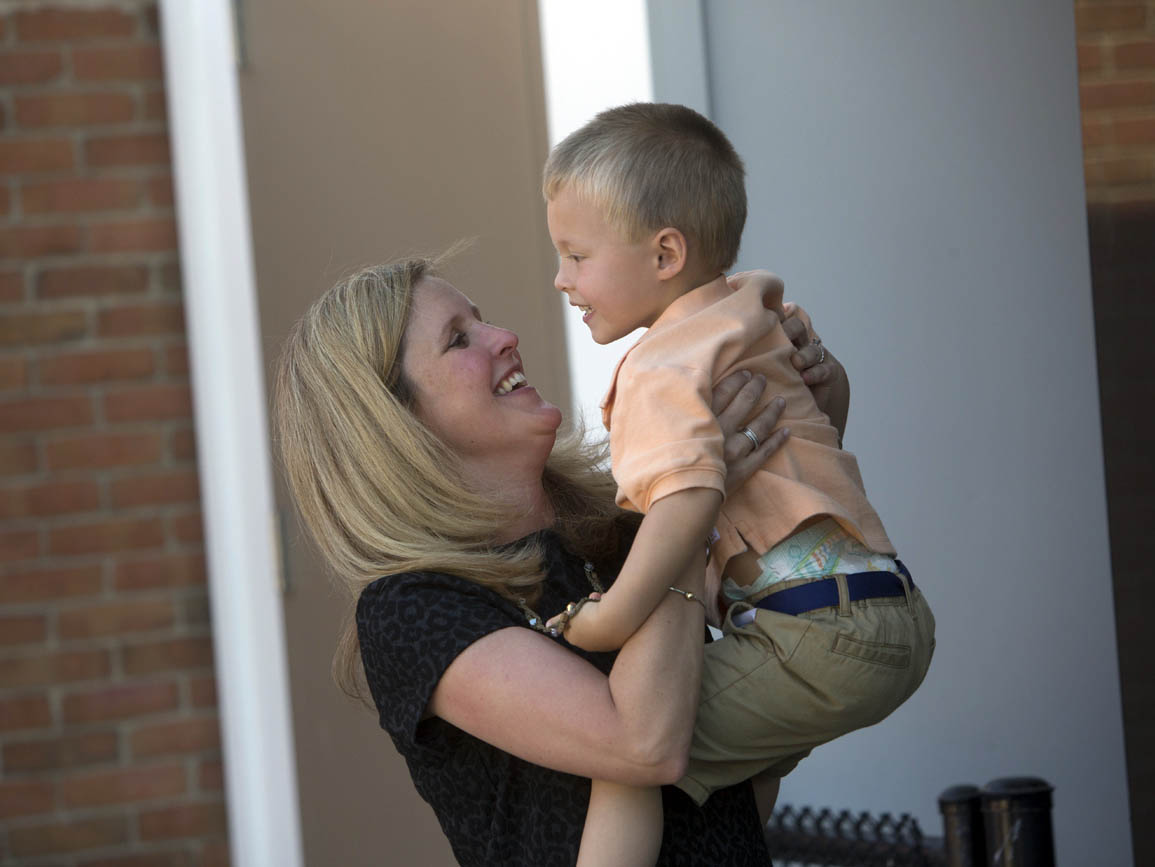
{"points": [[412, 627]]}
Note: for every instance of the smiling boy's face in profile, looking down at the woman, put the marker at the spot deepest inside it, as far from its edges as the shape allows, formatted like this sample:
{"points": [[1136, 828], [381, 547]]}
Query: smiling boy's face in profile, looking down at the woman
{"points": [[613, 280]]}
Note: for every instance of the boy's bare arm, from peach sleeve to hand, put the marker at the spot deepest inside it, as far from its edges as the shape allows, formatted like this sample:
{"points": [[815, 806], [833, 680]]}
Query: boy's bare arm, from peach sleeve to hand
{"points": [[672, 535]]}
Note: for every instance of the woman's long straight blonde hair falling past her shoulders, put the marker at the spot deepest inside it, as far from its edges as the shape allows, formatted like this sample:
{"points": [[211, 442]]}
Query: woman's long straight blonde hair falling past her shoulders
{"points": [[378, 492]]}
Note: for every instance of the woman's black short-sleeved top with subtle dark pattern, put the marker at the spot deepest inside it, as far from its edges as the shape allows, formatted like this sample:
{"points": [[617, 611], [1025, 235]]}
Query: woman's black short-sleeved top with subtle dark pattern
{"points": [[496, 809]]}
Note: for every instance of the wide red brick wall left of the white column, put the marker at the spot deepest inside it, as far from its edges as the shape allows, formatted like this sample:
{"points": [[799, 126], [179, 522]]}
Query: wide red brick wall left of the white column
{"points": [[109, 734]]}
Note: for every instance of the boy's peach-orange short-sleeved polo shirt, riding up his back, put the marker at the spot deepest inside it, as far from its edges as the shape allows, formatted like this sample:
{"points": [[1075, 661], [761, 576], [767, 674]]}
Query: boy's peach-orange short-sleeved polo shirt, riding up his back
{"points": [[665, 438]]}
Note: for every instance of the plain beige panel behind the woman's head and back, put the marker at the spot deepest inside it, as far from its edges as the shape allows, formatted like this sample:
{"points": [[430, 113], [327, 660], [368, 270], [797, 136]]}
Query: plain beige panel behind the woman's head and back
{"points": [[376, 130]]}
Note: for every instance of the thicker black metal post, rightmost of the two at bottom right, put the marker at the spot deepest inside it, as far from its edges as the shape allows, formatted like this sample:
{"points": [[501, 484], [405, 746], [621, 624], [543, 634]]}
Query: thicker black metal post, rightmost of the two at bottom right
{"points": [[1017, 823]]}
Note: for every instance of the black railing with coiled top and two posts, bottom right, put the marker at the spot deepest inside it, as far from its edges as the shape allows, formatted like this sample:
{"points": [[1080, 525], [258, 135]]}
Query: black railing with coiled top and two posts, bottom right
{"points": [[1008, 824]]}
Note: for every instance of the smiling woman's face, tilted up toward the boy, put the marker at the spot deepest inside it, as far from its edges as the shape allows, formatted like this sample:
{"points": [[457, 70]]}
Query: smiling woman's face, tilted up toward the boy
{"points": [[471, 390]]}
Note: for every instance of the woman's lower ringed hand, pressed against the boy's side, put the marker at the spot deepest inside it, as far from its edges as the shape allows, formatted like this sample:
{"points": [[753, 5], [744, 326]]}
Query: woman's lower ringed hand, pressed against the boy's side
{"points": [[735, 399]]}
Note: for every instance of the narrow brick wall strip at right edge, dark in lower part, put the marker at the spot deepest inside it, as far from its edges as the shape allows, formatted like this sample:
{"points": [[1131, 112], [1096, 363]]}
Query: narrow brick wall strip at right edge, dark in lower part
{"points": [[1117, 89]]}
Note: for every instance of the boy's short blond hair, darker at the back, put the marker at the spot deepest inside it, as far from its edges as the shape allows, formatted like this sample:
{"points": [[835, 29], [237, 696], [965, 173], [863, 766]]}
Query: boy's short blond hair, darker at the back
{"points": [[651, 166]]}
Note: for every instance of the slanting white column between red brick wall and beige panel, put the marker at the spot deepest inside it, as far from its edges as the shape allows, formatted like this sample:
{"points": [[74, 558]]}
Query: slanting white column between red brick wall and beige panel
{"points": [[232, 432]]}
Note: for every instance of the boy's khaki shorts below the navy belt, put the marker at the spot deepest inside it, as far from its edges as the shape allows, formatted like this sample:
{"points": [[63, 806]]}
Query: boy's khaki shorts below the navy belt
{"points": [[783, 685]]}
